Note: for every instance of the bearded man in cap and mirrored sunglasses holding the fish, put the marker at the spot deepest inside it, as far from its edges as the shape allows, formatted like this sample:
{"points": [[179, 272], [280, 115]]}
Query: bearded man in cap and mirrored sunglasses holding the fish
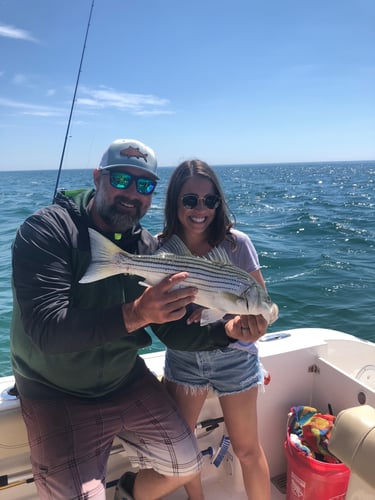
{"points": [[74, 346]]}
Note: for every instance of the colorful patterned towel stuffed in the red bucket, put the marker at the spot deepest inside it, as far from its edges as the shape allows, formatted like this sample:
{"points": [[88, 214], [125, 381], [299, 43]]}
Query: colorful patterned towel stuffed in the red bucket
{"points": [[309, 431]]}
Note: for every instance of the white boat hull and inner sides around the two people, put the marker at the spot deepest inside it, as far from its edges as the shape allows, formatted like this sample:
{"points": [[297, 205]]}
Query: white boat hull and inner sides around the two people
{"points": [[314, 367]]}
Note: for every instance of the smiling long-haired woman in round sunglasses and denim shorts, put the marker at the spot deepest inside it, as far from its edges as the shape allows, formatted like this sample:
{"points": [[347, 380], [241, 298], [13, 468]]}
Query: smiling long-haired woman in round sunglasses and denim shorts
{"points": [[197, 217]]}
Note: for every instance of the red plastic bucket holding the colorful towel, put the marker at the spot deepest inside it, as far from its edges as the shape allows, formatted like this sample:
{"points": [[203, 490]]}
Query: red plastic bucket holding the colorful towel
{"points": [[310, 479]]}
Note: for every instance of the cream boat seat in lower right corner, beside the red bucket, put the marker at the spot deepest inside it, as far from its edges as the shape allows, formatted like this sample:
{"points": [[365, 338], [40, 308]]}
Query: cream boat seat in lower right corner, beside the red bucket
{"points": [[353, 442]]}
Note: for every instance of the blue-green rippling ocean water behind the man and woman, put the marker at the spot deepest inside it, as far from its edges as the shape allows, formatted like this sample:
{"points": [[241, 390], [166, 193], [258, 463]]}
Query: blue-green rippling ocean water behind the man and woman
{"points": [[313, 225]]}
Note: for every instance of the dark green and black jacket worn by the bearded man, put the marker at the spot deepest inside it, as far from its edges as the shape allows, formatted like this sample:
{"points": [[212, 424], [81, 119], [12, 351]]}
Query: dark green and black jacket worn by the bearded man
{"points": [[68, 337]]}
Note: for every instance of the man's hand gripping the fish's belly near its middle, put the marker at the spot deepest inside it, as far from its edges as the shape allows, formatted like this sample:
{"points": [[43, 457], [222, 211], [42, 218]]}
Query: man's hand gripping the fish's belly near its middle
{"points": [[159, 304]]}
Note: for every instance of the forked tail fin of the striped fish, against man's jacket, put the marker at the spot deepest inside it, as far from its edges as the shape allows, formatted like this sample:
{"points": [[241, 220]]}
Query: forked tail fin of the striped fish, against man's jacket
{"points": [[103, 252]]}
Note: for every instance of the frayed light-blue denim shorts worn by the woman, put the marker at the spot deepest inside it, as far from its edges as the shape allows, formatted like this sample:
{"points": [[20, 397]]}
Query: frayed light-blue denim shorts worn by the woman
{"points": [[225, 371]]}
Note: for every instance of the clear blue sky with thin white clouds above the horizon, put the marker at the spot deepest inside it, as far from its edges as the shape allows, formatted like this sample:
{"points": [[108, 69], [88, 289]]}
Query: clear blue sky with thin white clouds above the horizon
{"points": [[228, 81]]}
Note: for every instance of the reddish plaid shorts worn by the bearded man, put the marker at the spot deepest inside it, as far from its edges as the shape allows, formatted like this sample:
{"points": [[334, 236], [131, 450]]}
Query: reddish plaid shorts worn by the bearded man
{"points": [[70, 438]]}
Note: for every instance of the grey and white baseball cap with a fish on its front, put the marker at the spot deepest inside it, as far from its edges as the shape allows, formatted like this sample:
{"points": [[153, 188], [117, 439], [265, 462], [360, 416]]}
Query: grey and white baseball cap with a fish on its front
{"points": [[130, 153]]}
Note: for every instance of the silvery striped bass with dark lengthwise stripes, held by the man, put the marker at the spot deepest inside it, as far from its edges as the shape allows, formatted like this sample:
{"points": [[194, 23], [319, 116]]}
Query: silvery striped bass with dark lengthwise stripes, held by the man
{"points": [[222, 287]]}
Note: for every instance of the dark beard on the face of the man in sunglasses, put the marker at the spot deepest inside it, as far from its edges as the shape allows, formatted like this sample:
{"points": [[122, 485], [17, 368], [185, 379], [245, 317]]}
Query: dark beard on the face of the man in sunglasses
{"points": [[120, 221]]}
